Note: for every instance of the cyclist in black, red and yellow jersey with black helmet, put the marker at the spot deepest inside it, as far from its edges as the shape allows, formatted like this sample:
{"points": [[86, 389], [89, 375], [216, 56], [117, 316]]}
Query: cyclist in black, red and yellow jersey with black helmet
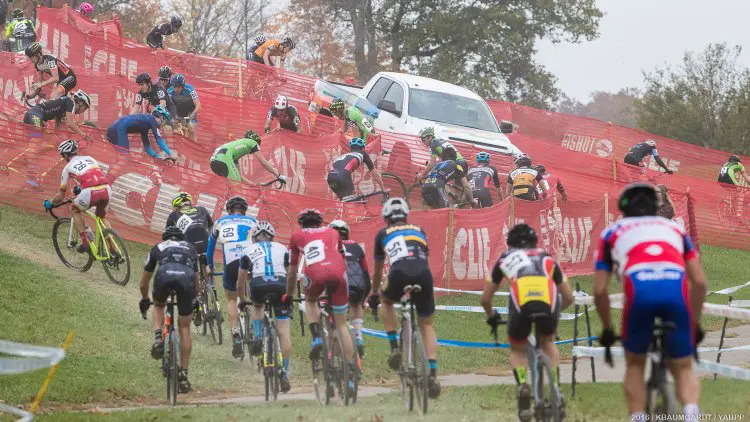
{"points": [[536, 284]]}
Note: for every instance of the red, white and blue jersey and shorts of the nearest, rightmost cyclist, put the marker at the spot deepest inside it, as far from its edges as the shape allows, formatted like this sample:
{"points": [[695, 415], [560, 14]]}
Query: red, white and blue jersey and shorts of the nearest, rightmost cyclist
{"points": [[649, 255]]}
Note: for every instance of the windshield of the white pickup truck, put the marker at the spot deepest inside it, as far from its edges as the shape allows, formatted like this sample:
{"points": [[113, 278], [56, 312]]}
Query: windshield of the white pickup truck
{"points": [[451, 109]]}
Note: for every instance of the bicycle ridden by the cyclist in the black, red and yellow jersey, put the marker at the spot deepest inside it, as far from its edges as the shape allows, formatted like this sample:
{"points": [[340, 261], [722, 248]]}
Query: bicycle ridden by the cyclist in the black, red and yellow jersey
{"points": [[550, 407]]}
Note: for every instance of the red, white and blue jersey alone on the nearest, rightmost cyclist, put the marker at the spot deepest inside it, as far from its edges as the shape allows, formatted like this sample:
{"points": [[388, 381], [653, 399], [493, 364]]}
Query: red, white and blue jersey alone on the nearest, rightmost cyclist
{"points": [[645, 249]]}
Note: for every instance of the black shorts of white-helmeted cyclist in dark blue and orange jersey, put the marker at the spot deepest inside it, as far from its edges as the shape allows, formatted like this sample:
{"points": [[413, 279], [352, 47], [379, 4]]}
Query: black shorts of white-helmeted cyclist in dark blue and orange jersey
{"points": [[403, 274]]}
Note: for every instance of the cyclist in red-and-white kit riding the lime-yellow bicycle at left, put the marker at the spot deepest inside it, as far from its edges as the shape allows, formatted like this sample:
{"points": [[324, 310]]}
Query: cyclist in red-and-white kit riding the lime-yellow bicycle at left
{"points": [[94, 189]]}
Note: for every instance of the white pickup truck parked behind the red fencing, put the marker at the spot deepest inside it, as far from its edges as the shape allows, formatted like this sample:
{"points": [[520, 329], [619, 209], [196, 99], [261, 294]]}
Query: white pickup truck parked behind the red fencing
{"points": [[409, 103]]}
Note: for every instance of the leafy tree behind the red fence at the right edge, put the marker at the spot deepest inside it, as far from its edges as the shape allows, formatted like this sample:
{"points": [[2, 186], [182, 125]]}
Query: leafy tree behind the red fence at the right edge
{"points": [[704, 101]]}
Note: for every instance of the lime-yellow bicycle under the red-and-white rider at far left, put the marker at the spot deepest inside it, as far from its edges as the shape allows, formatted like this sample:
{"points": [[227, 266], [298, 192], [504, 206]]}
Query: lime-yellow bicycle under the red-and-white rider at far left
{"points": [[65, 240]]}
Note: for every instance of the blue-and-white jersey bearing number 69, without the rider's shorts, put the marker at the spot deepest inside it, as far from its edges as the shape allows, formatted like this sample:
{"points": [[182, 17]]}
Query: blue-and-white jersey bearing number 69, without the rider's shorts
{"points": [[233, 232]]}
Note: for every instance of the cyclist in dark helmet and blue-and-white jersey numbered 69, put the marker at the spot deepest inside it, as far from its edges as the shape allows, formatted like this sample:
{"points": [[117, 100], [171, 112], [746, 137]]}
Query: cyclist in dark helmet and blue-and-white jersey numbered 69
{"points": [[233, 232]]}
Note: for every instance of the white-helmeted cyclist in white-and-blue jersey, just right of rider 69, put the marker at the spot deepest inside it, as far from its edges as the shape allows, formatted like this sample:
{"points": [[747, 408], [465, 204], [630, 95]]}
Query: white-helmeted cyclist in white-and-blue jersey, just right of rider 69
{"points": [[269, 261]]}
